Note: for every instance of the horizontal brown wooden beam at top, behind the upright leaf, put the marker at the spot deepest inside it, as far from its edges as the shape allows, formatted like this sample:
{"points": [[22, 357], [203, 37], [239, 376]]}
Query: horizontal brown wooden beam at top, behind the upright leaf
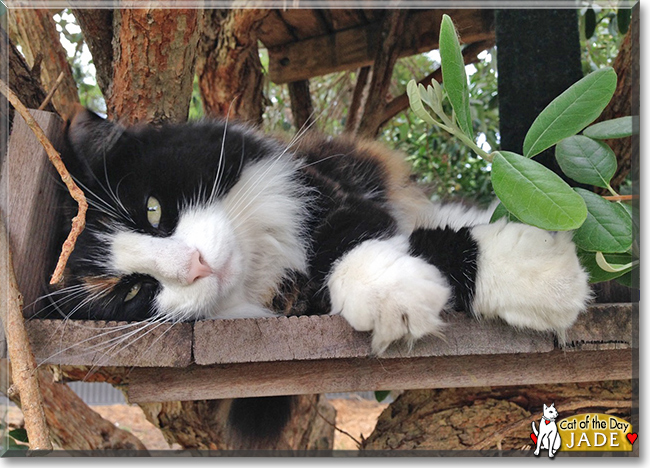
{"points": [[356, 47]]}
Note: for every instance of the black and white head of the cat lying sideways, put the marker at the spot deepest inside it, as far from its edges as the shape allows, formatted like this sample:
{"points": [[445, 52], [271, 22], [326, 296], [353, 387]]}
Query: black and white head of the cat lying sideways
{"points": [[164, 225]]}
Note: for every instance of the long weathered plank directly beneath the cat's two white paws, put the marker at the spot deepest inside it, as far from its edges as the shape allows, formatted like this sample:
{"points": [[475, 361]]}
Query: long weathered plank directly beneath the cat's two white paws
{"points": [[331, 337]]}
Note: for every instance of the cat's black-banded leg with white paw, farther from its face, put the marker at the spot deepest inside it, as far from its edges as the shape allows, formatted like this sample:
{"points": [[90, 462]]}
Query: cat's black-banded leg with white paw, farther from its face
{"points": [[526, 276]]}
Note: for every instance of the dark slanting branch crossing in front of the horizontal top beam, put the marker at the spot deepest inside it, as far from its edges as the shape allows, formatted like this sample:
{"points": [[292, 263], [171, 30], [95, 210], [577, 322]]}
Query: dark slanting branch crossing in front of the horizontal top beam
{"points": [[382, 71]]}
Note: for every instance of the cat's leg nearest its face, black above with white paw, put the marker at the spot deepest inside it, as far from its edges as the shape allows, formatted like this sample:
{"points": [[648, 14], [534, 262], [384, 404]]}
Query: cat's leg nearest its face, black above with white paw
{"points": [[371, 278]]}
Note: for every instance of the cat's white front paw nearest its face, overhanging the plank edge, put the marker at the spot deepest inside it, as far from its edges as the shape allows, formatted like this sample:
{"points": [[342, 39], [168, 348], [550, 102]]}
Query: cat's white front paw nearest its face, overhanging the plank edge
{"points": [[379, 287]]}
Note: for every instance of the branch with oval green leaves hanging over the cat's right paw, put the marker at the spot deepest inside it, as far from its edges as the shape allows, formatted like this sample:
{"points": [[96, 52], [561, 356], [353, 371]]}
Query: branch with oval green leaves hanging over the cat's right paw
{"points": [[530, 192]]}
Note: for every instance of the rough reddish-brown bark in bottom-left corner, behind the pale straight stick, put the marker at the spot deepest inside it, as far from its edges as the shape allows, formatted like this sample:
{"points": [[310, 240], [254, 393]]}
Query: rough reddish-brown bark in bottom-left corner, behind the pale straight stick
{"points": [[73, 424]]}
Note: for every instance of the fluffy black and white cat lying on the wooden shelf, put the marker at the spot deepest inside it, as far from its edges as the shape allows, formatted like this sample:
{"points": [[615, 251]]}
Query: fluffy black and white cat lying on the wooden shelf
{"points": [[213, 220]]}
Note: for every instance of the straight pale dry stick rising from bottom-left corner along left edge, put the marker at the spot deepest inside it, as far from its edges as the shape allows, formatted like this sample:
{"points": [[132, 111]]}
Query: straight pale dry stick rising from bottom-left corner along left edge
{"points": [[23, 364]]}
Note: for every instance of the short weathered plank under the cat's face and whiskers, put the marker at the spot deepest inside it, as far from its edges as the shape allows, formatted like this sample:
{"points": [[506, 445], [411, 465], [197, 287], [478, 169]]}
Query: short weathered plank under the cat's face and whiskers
{"points": [[98, 343]]}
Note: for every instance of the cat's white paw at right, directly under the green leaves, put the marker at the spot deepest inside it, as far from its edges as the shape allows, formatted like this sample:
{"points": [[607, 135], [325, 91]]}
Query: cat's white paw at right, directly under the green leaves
{"points": [[529, 277]]}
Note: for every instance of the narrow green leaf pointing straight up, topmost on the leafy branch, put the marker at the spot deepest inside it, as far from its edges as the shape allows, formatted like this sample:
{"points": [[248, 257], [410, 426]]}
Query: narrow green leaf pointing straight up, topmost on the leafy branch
{"points": [[453, 74]]}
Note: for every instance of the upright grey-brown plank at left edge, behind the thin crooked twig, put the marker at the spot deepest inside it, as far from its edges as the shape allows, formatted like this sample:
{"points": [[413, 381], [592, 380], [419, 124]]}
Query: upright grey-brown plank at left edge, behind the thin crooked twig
{"points": [[29, 200]]}
